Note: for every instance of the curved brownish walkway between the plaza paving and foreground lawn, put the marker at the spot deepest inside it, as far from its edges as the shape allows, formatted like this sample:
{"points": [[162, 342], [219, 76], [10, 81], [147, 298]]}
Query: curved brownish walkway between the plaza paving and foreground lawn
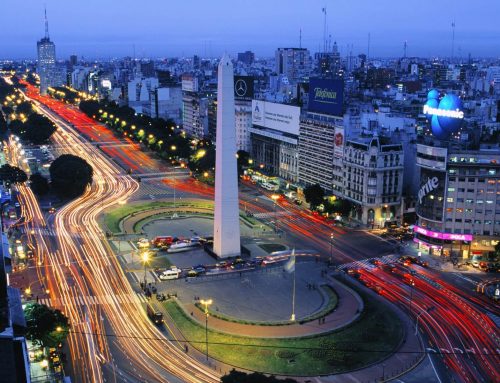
{"points": [[348, 309]]}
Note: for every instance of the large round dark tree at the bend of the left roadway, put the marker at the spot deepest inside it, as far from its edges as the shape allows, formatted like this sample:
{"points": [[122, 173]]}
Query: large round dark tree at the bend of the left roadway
{"points": [[70, 175]]}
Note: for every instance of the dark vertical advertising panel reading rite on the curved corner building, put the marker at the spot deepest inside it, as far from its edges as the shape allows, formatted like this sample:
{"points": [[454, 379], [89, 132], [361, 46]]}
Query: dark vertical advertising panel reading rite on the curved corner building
{"points": [[430, 198]]}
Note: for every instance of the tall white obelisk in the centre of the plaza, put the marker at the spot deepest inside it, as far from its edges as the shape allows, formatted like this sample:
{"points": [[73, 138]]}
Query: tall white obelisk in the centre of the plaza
{"points": [[227, 212]]}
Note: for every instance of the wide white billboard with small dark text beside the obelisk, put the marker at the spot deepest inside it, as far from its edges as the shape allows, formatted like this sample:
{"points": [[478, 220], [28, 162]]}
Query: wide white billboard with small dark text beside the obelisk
{"points": [[284, 118]]}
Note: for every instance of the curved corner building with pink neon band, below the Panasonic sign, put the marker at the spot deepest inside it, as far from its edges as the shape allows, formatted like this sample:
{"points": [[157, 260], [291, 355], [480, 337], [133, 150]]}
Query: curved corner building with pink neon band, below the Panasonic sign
{"points": [[458, 203]]}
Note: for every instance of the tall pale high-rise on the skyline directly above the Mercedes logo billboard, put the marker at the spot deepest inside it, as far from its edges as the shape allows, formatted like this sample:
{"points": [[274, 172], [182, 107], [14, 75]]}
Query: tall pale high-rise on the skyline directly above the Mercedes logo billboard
{"points": [[295, 63]]}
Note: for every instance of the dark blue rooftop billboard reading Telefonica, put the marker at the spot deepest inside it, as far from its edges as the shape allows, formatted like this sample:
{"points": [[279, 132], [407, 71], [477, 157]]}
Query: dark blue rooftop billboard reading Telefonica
{"points": [[326, 96]]}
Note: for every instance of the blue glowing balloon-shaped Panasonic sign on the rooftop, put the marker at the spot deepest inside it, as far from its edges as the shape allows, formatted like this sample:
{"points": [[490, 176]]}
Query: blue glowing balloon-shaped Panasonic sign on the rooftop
{"points": [[445, 113]]}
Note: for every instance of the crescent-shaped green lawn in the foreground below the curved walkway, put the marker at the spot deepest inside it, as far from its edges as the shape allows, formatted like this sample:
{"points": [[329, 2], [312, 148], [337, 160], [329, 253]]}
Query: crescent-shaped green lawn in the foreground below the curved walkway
{"points": [[373, 336]]}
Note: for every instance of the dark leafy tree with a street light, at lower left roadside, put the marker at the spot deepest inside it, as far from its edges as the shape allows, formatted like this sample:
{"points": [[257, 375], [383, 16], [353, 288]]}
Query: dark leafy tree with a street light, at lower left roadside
{"points": [[45, 326]]}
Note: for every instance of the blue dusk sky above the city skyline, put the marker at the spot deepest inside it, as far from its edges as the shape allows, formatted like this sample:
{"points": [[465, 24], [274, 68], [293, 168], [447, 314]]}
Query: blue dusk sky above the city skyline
{"points": [[104, 28]]}
